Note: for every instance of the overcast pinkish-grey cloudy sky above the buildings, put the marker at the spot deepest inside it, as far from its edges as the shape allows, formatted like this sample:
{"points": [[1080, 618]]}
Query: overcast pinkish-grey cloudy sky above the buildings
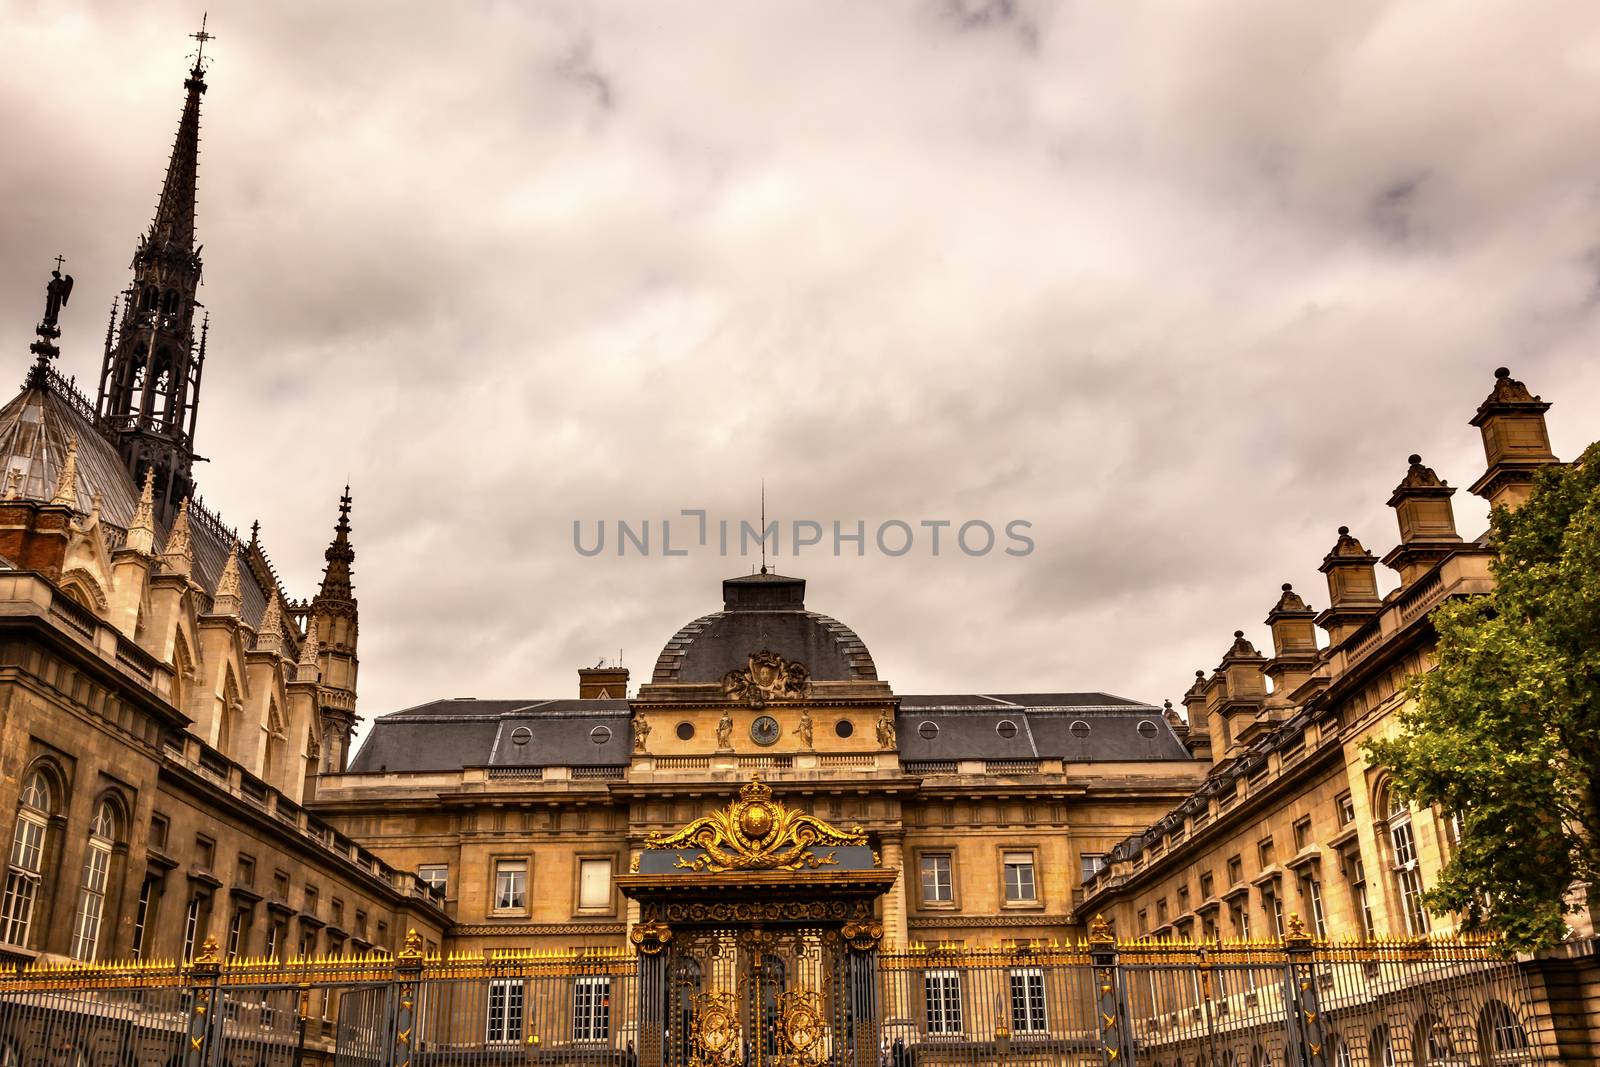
{"points": [[1178, 284]]}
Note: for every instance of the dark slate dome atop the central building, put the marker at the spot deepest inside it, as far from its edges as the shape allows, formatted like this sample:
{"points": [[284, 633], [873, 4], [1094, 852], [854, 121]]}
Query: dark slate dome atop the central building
{"points": [[764, 612]]}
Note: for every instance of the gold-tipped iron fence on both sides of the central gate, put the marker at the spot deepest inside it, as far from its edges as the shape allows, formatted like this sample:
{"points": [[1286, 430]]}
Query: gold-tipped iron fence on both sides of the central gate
{"points": [[1295, 1004]]}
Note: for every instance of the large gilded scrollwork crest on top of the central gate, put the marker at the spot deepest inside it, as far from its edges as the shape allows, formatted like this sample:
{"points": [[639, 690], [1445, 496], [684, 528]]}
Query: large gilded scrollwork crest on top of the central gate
{"points": [[756, 833]]}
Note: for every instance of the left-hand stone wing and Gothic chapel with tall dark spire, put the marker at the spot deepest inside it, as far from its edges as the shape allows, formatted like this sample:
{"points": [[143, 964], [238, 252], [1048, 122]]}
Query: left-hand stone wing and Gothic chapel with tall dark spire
{"points": [[166, 706]]}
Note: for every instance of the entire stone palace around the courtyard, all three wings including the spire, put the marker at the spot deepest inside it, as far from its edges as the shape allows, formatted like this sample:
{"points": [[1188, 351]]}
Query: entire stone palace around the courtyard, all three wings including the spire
{"points": [[177, 730]]}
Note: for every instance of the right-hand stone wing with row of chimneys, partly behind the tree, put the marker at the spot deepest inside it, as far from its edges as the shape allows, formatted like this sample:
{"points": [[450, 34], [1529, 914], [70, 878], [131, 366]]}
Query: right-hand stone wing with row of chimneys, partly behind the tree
{"points": [[1292, 818]]}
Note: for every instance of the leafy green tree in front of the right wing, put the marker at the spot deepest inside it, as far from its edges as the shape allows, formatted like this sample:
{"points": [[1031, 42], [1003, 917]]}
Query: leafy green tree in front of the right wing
{"points": [[1505, 732]]}
